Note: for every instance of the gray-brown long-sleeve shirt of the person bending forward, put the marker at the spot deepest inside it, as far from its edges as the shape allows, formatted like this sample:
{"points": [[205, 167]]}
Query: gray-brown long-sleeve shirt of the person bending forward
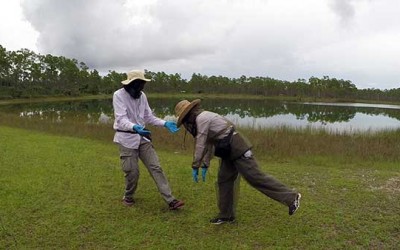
{"points": [[210, 127]]}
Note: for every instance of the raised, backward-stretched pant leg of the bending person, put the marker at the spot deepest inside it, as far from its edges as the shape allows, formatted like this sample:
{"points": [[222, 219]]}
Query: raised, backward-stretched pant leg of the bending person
{"points": [[268, 185]]}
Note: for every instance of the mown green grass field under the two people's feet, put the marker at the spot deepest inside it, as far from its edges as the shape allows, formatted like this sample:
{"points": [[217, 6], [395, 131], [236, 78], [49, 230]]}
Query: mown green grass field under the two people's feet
{"points": [[62, 192]]}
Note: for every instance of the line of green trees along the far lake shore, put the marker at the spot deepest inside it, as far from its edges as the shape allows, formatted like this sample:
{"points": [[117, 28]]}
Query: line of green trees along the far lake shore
{"points": [[26, 74]]}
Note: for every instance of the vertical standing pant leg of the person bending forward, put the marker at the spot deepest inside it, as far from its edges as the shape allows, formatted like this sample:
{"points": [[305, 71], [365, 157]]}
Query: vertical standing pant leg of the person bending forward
{"points": [[227, 175]]}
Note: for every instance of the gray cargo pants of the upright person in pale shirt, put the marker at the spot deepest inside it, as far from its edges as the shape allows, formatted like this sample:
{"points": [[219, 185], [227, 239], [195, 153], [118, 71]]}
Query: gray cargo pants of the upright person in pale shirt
{"points": [[130, 166]]}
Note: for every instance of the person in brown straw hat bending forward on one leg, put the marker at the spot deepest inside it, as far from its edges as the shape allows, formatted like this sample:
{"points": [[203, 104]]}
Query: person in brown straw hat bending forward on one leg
{"points": [[211, 129]]}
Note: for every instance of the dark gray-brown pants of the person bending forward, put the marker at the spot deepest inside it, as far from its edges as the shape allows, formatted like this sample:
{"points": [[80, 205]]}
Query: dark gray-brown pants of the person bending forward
{"points": [[248, 168]]}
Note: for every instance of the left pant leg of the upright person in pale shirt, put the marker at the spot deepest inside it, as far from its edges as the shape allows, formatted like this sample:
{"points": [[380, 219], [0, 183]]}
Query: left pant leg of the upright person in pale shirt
{"points": [[129, 163]]}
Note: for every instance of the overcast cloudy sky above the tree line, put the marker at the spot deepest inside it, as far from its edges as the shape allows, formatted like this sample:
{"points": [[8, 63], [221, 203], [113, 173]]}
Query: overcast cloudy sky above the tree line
{"points": [[357, 40]]}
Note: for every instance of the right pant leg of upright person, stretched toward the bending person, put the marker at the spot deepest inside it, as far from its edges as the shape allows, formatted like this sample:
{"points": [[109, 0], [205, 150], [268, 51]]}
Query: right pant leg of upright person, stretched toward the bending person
{"points": [[150, 159]]}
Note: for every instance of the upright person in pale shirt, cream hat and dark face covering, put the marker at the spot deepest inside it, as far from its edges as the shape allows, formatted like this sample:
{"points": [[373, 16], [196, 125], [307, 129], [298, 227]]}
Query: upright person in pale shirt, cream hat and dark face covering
{"points": [[132, 112]]}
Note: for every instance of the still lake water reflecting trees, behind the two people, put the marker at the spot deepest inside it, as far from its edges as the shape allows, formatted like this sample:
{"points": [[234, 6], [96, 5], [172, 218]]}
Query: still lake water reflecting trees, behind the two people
{"points": [[256, 114]]}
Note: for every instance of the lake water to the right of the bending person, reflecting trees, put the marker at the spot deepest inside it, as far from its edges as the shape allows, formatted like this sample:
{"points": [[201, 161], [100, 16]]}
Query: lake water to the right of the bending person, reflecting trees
{"points": [[334, 117]]}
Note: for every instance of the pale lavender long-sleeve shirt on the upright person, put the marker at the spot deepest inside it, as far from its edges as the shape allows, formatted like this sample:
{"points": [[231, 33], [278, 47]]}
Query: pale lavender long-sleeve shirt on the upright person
{"points": [[128, 112]]}
